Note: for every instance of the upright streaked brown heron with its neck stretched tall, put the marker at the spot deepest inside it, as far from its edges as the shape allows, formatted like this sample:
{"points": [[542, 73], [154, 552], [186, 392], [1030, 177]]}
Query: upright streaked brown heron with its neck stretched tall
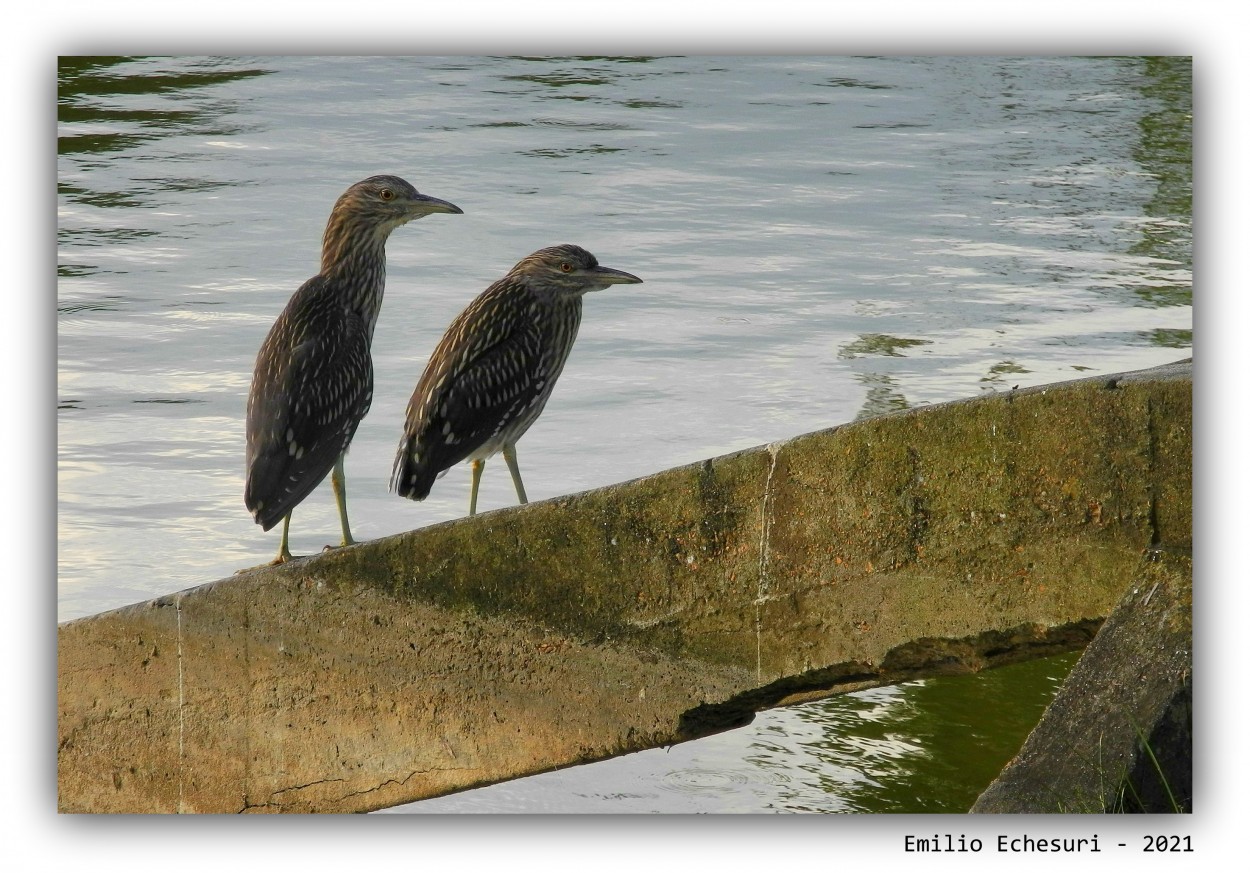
{"points": [[314, 377]]}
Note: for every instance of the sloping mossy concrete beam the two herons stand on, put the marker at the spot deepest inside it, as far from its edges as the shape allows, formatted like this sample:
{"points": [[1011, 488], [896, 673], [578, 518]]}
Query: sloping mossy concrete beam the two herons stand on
{"points": [[947, 538]]}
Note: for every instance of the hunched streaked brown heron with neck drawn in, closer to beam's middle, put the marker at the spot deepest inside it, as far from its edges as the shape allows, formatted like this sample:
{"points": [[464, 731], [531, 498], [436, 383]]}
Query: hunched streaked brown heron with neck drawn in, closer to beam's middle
{"points": [[494, 370]]}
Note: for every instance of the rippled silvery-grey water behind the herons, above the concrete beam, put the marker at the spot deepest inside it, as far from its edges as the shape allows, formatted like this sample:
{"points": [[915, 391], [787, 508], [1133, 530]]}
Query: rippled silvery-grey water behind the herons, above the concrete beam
{"points": [[821, 240]]}
